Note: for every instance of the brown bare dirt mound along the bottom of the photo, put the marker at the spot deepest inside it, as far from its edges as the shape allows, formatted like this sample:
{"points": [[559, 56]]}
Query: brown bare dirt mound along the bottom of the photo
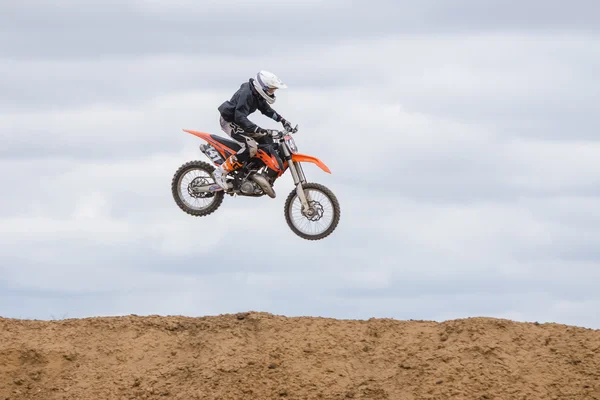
{"points": [[263, 356]]}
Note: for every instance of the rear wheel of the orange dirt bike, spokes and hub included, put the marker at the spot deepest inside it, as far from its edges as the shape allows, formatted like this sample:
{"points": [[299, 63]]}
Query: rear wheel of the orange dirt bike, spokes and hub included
{"points": [[188, 176]]}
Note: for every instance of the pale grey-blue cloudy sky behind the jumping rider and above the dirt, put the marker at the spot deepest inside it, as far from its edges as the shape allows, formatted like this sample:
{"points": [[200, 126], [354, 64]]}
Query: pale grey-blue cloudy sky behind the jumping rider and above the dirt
{"points": [[463, 138]]}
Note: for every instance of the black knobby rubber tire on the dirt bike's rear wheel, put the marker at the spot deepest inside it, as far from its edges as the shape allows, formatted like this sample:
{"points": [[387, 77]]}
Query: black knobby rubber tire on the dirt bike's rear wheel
{"points": [[176, 190]]}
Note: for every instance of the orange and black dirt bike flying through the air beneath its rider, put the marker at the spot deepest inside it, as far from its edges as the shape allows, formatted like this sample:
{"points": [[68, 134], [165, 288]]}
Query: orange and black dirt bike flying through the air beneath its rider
{"points": [[311, 210]]}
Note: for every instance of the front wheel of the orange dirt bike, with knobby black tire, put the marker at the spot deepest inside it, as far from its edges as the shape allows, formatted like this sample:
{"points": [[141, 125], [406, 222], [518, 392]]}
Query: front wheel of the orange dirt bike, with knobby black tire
{"points": [[322, 217]]}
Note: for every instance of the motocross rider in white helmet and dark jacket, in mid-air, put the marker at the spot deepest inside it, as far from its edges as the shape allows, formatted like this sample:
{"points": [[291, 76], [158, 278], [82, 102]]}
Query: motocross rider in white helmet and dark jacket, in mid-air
{"points": [[257, 93]]}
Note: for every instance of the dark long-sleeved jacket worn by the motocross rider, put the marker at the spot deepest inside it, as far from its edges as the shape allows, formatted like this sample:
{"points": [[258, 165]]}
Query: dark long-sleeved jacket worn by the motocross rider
{"points": [[244, 102]]}
